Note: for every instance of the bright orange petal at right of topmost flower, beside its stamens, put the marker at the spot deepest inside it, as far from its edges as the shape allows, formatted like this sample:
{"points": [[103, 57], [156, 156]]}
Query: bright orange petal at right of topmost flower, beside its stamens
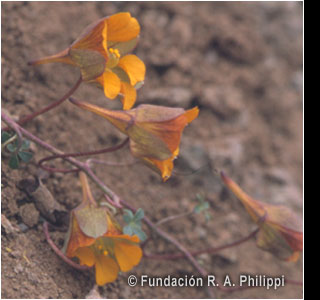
{"points": [[134, 67]]}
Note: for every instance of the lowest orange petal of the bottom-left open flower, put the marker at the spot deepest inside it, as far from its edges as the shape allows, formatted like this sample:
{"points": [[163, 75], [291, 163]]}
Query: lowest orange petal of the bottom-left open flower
{"points": [[106, 269]]}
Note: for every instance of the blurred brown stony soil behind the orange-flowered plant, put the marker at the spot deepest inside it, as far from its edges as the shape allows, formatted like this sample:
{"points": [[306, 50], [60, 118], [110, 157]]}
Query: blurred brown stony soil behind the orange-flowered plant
{"points": [[241, 63]]}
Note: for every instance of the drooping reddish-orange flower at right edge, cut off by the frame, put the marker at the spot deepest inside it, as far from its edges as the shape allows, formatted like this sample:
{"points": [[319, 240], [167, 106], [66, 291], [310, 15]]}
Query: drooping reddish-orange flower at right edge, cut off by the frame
{"points": [[280, 229]]}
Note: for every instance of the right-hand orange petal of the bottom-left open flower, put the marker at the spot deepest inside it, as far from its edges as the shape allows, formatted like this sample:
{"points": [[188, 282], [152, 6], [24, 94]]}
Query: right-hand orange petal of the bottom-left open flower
{"points": [[127, 254]]}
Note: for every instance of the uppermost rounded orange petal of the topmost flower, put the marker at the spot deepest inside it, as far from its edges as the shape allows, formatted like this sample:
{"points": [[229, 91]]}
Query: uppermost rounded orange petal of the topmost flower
{"points": [[122, 27]]}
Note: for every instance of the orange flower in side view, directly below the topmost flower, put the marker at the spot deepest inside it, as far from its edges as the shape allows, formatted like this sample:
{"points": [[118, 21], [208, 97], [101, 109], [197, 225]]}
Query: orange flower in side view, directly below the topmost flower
{"points": [[154, 131]]}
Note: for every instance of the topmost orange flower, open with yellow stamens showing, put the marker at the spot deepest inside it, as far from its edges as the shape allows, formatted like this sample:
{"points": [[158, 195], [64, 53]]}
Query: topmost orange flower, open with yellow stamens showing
{"points": [[101, 53]]}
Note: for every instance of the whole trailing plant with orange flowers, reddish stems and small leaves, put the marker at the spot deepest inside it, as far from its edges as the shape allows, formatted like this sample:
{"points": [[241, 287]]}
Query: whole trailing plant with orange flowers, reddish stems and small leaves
{"points": [[102, 54]]}
